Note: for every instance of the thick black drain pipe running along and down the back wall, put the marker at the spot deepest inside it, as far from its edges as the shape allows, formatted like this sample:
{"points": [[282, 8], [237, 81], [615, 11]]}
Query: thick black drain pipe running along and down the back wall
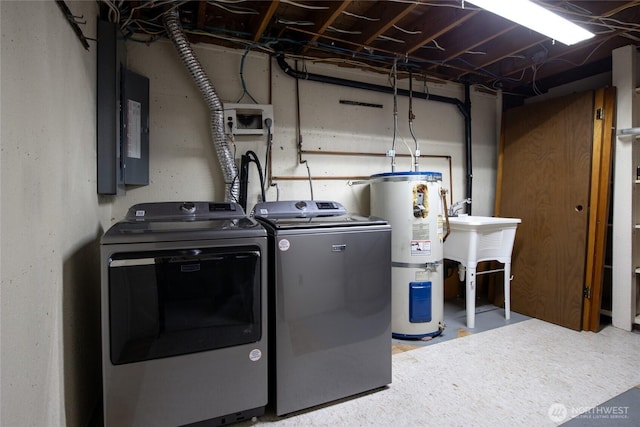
{"points": [[463, 107]]}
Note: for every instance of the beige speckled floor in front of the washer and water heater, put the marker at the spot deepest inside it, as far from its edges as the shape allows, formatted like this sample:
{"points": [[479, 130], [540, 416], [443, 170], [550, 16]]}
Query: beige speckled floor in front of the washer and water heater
{"points": [[516, 375]]}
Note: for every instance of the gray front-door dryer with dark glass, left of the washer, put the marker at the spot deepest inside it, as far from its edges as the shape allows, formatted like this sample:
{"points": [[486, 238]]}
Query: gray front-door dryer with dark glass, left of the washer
{"points": [[184, 316]]}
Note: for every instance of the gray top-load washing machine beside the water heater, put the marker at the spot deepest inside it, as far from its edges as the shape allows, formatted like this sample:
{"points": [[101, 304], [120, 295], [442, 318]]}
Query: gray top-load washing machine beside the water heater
{"points": [[329, 303]]}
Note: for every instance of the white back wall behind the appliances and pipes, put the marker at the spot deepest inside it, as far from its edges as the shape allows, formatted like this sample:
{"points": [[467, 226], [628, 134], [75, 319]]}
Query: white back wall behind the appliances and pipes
{"points": [[183, 162]]}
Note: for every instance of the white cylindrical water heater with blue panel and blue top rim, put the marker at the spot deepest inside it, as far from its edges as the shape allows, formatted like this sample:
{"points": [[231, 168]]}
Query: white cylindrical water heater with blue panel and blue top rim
{"points": [[411, 203]]}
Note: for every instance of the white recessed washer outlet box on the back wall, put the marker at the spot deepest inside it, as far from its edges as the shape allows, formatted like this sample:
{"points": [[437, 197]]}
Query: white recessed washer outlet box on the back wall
{"points": [[248, 119]]}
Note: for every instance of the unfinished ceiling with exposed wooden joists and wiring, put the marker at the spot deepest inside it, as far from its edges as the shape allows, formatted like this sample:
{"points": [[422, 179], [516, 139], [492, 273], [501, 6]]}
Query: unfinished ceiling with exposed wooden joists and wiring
{"points": [[448, 40]]}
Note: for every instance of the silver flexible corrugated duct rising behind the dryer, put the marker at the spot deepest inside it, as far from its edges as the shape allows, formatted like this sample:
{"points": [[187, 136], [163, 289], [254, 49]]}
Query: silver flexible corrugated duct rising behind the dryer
{"points": [[221, 144]]}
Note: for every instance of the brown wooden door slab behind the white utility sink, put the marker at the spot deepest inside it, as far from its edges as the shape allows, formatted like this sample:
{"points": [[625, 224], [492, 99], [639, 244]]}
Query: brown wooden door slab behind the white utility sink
{"points": [[544, 179]]}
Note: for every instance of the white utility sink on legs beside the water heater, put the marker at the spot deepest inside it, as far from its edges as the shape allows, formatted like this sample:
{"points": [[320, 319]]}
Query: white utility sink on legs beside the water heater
{"points": [[481, 238]]}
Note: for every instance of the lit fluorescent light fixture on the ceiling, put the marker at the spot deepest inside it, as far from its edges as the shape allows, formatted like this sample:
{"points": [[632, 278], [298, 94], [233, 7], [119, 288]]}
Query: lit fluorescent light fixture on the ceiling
{"points": [[537, 18]]}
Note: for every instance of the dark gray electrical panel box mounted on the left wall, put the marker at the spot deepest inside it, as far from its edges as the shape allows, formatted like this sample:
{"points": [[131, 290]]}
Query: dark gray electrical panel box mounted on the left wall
{"points": [[123, 116]]}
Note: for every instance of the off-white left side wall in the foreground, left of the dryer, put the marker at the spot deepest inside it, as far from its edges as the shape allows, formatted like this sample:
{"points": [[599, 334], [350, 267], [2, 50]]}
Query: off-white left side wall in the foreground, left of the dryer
{"points": [[50, 218]]}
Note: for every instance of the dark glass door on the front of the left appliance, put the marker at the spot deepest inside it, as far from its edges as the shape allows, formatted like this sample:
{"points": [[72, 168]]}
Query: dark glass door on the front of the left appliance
{"points": [[168, 303]]}
